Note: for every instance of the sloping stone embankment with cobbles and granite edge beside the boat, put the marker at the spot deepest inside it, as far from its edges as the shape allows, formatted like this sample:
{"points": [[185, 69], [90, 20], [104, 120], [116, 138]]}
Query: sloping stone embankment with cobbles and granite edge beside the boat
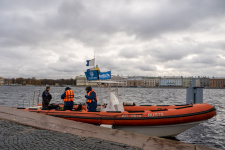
{"points": [[20, 129]]}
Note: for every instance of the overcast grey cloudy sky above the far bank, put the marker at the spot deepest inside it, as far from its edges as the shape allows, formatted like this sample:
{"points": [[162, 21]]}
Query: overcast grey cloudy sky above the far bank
{"points": [[54, 38]]}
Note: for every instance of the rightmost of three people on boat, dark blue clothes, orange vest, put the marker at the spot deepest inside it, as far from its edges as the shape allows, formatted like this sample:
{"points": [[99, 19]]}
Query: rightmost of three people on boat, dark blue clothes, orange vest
{"points": [[91, 99]]}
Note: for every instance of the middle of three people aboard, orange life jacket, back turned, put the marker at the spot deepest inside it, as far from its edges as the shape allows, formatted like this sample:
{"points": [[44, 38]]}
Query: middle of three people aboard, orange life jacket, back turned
{"points": [[67, 97]]}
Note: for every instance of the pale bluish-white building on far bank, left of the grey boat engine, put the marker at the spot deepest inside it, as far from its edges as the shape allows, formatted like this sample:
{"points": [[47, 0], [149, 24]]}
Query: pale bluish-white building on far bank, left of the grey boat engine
{"points": [[171, 81]]}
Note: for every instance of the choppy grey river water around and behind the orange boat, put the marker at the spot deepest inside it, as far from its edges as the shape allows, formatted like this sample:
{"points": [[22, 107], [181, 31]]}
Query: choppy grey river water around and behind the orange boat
{"points": [[210, 133]]}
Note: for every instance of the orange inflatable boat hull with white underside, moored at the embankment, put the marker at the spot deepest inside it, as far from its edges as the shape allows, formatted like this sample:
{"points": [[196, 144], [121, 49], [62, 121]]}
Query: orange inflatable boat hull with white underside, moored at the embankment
{"points": [[151, 120]]}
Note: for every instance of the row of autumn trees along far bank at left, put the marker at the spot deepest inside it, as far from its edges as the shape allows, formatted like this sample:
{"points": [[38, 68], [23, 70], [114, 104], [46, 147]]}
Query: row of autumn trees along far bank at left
{"points": [[34, 81]]}
